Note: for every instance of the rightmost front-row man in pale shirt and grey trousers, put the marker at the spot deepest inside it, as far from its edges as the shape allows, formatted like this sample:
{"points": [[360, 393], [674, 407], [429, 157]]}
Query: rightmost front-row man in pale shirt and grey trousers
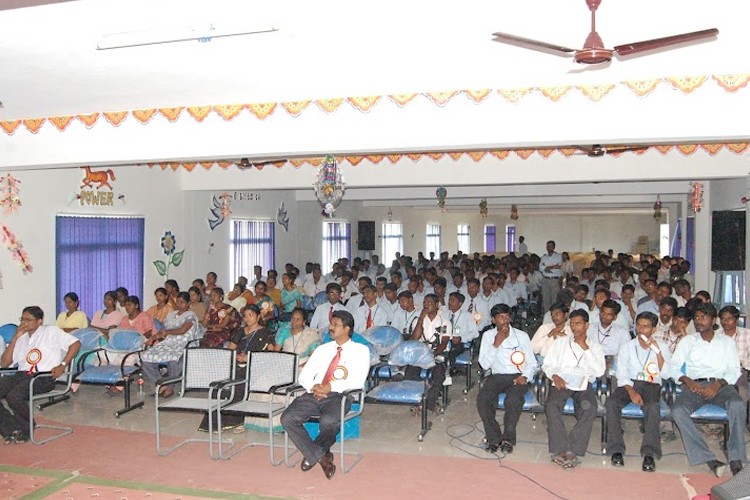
{"points": [[711, 365]]}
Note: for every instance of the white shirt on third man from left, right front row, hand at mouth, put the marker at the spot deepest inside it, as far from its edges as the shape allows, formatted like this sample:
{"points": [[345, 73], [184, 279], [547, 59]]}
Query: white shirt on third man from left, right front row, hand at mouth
{"points": [[636, 363]]}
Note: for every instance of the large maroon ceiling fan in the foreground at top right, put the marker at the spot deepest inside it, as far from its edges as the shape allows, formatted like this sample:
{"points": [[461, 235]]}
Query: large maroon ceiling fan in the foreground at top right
{"points": [[594, 52]]}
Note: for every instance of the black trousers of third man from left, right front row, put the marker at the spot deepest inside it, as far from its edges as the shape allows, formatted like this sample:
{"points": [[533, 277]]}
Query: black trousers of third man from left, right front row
{"points": [[651, 442]]}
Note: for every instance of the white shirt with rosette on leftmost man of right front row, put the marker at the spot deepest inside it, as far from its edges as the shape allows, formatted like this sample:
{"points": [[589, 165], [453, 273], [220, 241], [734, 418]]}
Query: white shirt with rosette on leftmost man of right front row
{"points": [[498, 359]]}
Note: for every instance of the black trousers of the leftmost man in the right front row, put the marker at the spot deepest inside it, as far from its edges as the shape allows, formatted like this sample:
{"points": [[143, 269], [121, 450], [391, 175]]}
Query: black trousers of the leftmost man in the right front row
{"points": [[494, 385]]}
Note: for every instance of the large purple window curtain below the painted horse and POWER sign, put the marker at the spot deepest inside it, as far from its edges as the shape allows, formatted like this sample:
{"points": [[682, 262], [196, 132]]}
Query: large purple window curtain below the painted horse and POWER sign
{"points": [[95, 255]]}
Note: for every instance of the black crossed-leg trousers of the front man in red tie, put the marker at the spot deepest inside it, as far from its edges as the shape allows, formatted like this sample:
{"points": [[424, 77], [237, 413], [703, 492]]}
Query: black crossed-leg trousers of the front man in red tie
{"points": [[302, 409]]}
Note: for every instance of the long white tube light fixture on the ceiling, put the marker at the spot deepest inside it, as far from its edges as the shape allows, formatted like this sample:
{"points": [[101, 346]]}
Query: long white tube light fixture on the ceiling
{"points": [[171, 35]]}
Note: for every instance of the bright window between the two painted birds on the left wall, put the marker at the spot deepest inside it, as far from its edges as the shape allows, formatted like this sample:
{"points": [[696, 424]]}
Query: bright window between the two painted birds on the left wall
{"points": [[251, 243]]}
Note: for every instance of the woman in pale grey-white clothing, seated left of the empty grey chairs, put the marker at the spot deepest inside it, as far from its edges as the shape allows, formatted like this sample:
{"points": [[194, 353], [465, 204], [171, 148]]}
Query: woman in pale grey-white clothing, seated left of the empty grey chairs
{"points": [[167, 346]]}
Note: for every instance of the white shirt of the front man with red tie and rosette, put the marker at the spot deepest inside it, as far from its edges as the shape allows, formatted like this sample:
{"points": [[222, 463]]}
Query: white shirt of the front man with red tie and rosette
{"points": [[351, 371]]}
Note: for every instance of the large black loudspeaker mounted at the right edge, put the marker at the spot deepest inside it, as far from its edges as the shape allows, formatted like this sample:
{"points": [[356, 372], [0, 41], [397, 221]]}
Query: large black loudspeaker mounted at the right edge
{"points": [[728, 241]]}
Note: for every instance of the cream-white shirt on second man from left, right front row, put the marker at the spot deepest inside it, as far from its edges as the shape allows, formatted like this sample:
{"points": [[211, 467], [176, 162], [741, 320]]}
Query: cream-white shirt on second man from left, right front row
{"points": [[574, 365]]}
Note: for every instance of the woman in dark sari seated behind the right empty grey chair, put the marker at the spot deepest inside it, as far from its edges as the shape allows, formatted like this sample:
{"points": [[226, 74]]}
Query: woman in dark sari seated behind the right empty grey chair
{"points": [[253, 337]]}
